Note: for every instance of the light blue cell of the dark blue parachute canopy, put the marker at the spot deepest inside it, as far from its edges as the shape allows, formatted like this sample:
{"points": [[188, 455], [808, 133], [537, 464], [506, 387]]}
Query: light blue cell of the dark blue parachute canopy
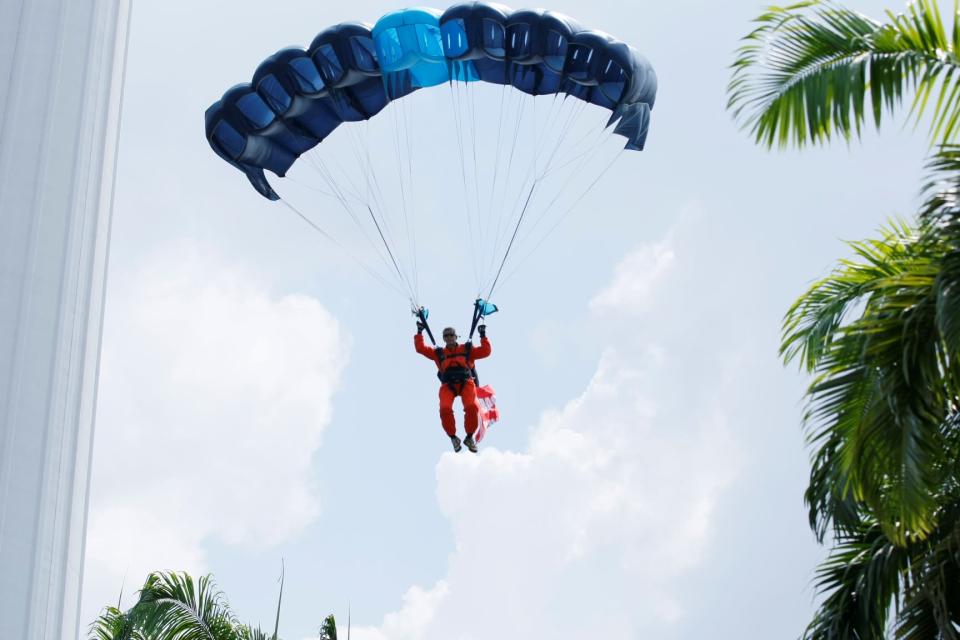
{"points": [[410, 51]]}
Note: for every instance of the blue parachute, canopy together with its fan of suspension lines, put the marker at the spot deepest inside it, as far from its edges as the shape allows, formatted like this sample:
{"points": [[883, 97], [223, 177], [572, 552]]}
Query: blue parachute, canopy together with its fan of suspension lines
{"points": [[352, 72]]}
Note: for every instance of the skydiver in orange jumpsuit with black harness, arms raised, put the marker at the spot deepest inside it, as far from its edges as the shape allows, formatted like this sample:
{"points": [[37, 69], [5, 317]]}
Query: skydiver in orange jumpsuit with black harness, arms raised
{"points": [[455, 368]]}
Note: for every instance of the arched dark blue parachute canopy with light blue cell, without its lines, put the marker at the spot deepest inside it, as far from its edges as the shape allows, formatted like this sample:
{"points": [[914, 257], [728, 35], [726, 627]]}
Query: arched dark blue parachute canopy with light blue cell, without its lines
{"points": [[350, 73]]}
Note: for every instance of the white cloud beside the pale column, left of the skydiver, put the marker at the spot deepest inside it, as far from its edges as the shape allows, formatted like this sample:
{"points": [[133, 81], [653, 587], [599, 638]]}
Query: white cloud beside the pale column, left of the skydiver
{"points": [[214, 395]]}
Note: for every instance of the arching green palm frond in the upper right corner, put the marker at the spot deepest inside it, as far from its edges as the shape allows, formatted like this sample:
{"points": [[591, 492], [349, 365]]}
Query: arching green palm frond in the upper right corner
{"points": [[815, 69]]}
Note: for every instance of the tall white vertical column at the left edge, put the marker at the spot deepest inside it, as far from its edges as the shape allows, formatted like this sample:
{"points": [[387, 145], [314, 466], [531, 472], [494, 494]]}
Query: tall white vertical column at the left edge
{"points": [[61, 75]]}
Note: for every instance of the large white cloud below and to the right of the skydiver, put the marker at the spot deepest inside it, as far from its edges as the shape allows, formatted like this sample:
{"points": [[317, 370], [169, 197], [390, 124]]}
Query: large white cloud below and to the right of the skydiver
{"points": [[588, 531]]}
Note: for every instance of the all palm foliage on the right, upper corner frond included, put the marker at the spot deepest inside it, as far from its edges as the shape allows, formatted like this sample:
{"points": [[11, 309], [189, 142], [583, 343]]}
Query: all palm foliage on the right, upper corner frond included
{"points": [[881, 334]]}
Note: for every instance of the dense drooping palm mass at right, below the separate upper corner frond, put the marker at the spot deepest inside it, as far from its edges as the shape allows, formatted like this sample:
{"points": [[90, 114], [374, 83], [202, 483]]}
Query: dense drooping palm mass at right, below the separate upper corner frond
{"points": [[881, 335]]}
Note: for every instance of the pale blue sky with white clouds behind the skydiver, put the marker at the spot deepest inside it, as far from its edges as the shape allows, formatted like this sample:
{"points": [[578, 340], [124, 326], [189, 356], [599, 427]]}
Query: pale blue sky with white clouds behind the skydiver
{"points": [[260, 400]]}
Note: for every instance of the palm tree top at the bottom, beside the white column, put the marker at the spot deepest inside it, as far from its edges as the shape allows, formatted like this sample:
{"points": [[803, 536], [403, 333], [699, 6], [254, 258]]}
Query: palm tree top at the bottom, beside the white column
{"points": [[173, 606]]}
